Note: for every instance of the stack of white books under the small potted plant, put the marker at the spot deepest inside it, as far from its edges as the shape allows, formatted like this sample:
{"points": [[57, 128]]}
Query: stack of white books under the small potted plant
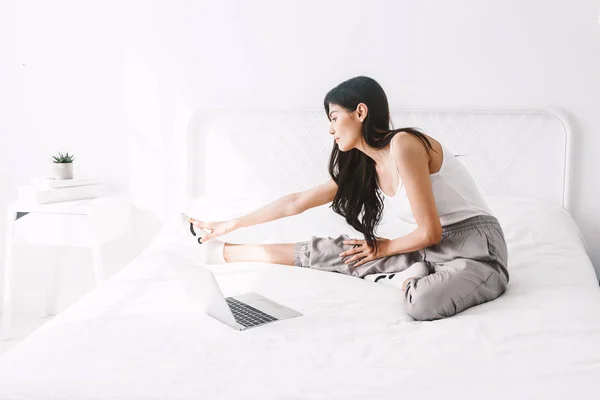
{"points": [[52, 190]]}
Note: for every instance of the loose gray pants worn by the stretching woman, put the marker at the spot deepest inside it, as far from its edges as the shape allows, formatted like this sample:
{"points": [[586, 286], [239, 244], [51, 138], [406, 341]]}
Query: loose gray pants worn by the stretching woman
{"points": [[468, 267]]}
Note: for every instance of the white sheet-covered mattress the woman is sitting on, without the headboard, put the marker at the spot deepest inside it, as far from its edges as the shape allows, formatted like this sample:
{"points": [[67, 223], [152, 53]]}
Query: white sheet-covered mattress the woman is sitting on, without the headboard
{"points": [[138, 336]]}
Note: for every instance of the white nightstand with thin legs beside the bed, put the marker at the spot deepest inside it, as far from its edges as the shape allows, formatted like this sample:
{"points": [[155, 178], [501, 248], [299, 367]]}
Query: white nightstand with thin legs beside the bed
{"points": [[78, 223]]}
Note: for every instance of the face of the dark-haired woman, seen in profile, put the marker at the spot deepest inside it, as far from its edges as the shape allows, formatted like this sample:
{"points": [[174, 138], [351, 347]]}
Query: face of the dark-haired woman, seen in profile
{"points": [[346, 127]]}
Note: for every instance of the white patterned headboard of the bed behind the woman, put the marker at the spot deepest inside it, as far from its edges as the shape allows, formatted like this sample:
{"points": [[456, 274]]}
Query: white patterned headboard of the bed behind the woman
{"points": [[509, 153]]}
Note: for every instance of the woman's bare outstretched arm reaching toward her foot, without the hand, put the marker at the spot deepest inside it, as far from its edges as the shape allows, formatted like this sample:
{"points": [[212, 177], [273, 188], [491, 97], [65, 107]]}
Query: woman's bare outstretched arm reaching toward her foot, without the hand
{"points": [[291, 204]]}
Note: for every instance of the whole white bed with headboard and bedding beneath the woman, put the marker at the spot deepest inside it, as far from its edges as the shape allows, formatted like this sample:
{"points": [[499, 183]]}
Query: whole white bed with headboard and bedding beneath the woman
{"points": [[139, 335]]}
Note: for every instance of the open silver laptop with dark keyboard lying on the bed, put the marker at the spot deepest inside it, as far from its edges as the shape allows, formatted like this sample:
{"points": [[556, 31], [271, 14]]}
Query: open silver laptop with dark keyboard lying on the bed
{"points": [[241, 312]]}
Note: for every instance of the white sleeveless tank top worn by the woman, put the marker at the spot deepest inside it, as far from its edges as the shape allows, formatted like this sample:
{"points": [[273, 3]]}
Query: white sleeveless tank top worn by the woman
{"points": [[456, 194]]}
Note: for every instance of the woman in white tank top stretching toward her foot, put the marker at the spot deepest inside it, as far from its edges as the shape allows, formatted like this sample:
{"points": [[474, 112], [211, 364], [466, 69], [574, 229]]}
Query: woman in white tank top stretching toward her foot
{"points": [[454, 259]]}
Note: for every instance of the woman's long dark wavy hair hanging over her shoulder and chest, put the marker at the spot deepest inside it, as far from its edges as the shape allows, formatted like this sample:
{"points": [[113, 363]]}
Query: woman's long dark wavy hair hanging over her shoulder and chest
{"points": [[354, 171]]}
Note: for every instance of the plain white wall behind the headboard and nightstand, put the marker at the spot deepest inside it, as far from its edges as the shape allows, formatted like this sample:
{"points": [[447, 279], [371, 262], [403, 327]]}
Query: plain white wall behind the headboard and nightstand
{"points": [[115, 81]]}
